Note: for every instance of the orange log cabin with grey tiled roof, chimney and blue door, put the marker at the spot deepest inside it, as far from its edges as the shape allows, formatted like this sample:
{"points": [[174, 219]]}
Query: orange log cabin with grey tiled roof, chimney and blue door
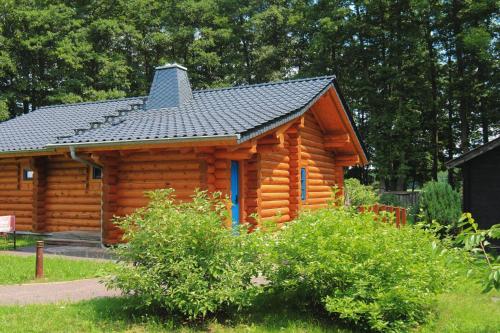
{"points": [[272, 148]]}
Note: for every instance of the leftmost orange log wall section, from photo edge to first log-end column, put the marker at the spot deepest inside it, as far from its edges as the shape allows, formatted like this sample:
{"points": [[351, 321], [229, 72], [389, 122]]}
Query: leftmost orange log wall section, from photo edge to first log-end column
{"points": [[16, 194]]}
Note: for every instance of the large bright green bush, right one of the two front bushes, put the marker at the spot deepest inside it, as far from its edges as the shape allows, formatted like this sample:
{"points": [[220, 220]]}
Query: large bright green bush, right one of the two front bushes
{"points": [[364, 272]]}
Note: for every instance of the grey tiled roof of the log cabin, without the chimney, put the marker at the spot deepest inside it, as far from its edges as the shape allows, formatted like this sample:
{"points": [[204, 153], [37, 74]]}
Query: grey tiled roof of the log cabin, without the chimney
{"points": [[242, 112]]}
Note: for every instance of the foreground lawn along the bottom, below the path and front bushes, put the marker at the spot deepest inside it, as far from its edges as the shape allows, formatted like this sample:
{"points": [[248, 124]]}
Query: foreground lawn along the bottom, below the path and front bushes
{"points": [[463, 311]]}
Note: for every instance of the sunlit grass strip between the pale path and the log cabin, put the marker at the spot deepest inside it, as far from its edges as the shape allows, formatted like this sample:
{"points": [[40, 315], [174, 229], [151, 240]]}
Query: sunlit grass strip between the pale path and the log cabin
{"points": [[21, 269]]}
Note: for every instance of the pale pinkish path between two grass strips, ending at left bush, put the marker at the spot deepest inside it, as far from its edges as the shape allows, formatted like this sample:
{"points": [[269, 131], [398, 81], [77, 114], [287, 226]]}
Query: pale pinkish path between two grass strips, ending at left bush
{"points": [[54, 292]]}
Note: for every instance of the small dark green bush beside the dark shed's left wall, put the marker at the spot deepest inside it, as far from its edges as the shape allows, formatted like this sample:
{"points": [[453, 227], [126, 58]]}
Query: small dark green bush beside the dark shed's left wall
{"points": [[440, 203]]}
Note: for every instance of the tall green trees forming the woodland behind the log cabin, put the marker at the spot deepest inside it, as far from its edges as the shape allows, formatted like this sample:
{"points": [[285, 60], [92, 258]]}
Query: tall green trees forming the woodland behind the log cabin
{"points": [[413, 71]]}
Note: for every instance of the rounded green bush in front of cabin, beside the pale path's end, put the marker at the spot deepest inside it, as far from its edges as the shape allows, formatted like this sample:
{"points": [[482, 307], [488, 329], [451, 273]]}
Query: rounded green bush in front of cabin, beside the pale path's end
{"points": [[180, 257]]}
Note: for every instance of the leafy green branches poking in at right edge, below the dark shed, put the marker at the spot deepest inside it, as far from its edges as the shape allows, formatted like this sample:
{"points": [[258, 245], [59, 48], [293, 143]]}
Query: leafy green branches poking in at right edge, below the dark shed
{"points": [[477, 241]]}
